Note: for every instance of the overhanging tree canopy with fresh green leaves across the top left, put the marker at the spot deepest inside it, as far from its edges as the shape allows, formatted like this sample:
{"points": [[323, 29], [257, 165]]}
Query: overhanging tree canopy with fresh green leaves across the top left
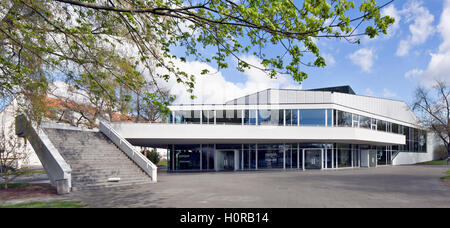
{"points": [[97, 44]]}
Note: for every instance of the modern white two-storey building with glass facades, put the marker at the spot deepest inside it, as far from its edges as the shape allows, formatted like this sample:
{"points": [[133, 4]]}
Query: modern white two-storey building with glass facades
{"points": [[327, 128]]}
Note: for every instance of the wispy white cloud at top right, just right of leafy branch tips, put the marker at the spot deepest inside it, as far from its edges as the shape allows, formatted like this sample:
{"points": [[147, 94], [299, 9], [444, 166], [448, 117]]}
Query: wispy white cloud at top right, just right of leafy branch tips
{"points": [[421, 28]]}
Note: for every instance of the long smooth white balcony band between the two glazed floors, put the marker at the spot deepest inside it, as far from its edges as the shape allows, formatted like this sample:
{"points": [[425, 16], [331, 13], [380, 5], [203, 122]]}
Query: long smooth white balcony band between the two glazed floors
{"points": [[195, 133]]}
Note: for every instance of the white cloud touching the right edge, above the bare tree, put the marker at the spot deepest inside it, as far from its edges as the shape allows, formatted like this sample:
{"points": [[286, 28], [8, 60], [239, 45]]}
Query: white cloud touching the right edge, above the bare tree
{"points": [[439, 65]]}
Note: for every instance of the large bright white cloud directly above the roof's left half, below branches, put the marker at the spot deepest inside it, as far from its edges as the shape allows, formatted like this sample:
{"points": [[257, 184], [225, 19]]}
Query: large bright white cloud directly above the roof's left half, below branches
{"points": [[214, 88]]}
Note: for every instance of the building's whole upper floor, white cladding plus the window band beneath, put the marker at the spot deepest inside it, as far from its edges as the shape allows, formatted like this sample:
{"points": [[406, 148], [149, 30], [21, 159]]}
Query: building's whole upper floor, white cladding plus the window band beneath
{"points": [[319, 107]]}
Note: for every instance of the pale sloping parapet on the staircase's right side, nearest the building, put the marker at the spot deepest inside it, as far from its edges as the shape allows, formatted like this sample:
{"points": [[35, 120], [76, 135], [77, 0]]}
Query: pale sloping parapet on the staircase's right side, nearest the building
{"points": [[130, 150]]}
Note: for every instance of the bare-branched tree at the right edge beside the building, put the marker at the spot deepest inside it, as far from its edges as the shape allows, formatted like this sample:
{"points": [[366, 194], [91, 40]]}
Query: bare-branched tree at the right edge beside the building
{"points": [[433, 107]]}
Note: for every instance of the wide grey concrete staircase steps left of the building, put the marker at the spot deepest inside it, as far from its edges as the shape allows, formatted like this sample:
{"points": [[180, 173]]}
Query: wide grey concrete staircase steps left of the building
{"points": [[94, 159]]}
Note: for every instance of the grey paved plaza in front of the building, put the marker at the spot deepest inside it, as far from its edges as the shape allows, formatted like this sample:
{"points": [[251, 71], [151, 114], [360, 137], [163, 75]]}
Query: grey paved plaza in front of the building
{"points": [[392, 186]]}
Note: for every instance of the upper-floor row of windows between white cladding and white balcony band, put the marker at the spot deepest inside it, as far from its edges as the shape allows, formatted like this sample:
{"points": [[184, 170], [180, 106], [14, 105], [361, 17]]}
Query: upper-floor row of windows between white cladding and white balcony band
{"points": [[415, 138]]}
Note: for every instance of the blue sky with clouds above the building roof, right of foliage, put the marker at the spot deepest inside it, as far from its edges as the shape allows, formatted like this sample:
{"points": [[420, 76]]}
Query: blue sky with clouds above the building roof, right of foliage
{"points": [[416, 50]]}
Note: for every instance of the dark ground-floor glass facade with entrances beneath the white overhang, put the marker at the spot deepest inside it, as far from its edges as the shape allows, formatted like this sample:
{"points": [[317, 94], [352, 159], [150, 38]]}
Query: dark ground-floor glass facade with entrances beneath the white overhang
{"points": [[289, 156]]}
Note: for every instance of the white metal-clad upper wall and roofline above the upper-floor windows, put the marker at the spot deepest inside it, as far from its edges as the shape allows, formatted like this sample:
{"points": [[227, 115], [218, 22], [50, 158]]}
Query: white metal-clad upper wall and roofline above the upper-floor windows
{"points": [[338, 98]]}
